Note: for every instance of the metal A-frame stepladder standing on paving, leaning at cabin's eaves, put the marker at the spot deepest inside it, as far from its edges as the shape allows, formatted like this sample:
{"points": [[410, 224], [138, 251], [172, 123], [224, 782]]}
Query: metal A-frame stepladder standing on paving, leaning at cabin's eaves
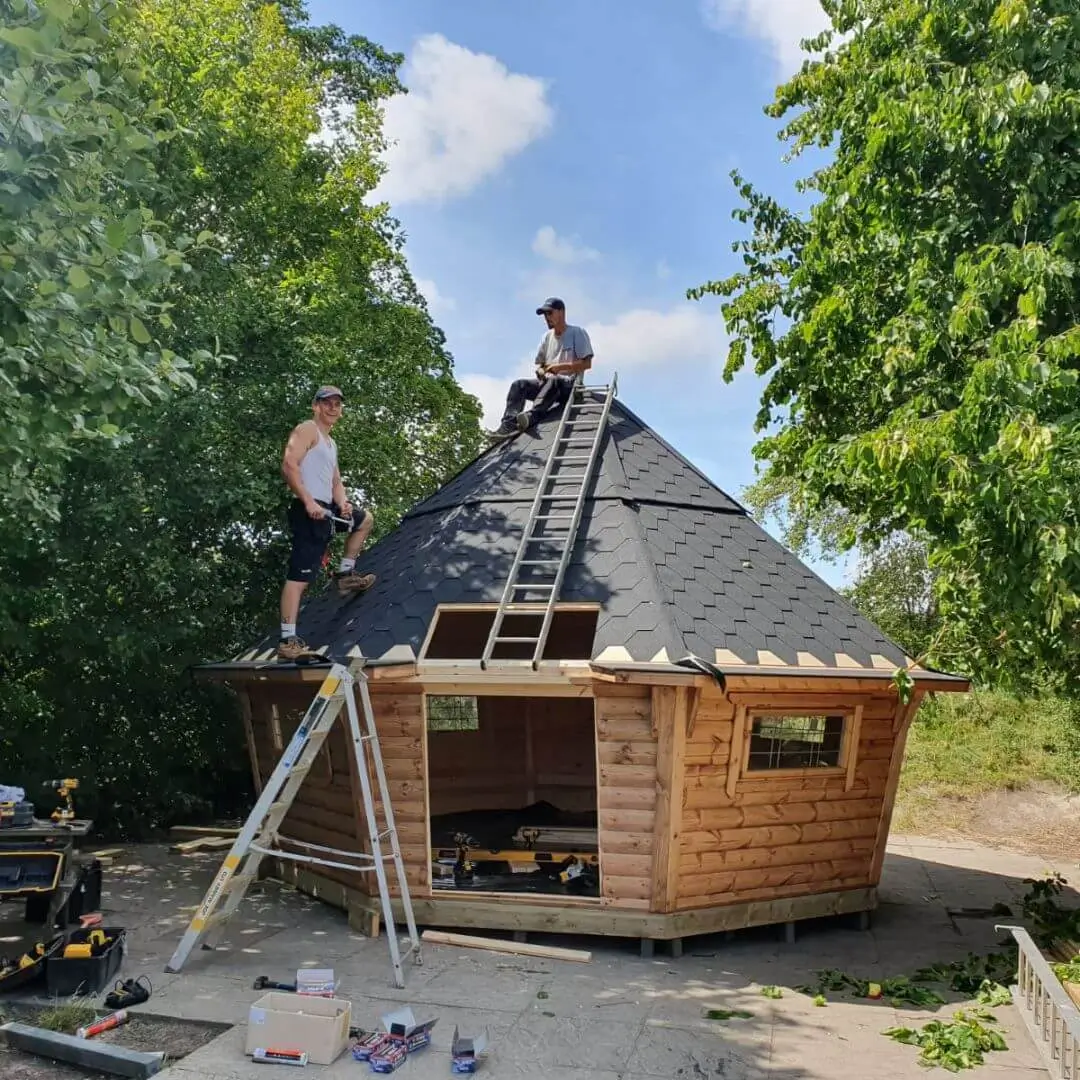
{"points": [[258, 839]]}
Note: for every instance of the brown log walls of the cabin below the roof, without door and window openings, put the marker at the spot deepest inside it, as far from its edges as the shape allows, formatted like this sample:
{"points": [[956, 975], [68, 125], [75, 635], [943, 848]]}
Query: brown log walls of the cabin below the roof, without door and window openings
{"points": [[683, 850]]}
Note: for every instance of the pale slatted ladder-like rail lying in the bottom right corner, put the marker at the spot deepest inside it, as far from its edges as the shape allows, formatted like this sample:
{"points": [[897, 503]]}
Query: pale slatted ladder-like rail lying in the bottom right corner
{"points": [[1048, 1011]]}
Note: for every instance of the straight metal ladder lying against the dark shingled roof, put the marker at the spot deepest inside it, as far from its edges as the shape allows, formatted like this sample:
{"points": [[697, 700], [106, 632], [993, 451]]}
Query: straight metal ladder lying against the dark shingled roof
{"points": [[548, 542]]}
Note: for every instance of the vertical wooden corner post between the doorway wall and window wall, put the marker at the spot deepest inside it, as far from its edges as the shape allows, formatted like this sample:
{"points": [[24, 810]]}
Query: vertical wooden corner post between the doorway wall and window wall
{"points": [[670, 712]]}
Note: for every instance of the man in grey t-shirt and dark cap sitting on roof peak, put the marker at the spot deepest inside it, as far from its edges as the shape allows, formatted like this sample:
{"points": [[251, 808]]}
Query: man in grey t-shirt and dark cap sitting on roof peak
{"points": [[565, 352]]}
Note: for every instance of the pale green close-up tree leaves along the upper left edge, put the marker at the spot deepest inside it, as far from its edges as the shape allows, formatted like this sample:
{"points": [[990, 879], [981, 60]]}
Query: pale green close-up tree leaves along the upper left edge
{"points": [[84, 259]]}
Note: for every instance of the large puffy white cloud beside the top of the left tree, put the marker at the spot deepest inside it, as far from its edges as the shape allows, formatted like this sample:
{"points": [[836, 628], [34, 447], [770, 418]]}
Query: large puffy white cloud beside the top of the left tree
{"points": [[464, 117]]}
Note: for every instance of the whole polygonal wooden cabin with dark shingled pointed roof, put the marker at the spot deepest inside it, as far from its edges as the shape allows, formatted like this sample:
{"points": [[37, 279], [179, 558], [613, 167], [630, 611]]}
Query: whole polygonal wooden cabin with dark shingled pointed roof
{"points": [[712, 740]]}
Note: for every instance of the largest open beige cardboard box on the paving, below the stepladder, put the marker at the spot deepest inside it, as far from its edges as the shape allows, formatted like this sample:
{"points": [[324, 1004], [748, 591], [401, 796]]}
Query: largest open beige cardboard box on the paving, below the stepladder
{"points": [[318, 1027]]}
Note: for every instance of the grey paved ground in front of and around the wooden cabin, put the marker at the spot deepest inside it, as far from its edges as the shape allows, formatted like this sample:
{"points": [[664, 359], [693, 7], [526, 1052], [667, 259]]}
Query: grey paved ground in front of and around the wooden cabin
{"points": [[619, 1018]]}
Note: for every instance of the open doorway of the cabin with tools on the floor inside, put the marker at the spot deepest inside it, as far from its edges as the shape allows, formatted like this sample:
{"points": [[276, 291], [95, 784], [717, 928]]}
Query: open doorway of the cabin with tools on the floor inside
{"points": [[512, 794]]}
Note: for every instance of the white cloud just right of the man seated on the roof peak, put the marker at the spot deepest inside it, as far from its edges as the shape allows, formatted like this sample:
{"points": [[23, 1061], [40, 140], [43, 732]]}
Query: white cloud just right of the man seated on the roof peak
{"points": [[649, 339]]}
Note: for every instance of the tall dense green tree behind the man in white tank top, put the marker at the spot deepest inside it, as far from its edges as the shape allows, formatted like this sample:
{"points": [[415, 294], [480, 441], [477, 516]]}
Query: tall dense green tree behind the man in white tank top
{"points": [[171, 549]]}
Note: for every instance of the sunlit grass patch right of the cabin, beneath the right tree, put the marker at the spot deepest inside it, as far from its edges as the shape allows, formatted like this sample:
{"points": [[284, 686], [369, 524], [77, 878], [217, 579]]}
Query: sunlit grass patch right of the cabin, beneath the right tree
{"points": [[966, 746]]}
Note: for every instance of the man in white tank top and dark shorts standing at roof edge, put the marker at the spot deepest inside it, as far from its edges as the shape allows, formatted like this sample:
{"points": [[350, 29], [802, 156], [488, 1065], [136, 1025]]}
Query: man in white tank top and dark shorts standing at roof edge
{"points": [[310, 469]]}
